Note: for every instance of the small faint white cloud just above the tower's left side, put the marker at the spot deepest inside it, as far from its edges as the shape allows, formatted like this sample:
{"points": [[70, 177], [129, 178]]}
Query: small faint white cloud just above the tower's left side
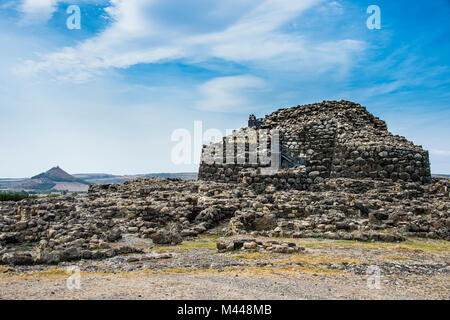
{"points": [[227, 94]]}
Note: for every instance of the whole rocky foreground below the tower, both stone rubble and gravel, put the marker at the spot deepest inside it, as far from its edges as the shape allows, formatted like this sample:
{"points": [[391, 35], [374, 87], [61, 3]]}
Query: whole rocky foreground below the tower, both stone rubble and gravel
{"points": [[167, 238]]}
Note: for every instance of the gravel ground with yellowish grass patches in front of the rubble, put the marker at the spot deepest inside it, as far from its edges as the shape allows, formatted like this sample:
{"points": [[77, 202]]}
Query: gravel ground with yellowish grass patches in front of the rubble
{"points": [[194, 270]]}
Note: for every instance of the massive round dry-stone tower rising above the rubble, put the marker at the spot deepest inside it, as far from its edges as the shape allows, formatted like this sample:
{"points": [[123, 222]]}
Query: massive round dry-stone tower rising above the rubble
{"points": [[317, 141]]}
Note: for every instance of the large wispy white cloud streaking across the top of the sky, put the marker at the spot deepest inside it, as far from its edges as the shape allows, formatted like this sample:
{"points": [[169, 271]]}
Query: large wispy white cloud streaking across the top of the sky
{"points": [[135, 37]]}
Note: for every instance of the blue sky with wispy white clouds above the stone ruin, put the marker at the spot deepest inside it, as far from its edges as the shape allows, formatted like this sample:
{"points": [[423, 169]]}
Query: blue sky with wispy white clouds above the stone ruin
{"points": [[107, 98]]}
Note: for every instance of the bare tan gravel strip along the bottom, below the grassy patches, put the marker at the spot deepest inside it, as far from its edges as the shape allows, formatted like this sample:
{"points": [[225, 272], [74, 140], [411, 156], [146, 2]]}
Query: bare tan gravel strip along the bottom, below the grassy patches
{"points": [[224, 286]]}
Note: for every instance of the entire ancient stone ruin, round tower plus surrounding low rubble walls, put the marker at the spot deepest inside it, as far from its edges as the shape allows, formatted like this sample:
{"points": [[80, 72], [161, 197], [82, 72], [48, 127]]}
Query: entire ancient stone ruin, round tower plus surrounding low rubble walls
{"points": [[339, 174]]}
